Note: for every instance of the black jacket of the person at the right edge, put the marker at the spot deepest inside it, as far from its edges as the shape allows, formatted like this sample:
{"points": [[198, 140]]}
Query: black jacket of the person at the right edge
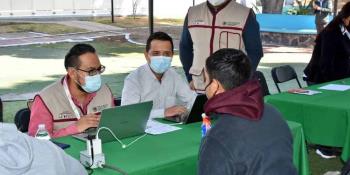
{"points": [[331, 57]]}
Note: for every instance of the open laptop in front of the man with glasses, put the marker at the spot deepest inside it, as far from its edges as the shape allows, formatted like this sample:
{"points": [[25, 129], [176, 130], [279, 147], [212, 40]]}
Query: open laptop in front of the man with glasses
{"points": [[124, 121]]}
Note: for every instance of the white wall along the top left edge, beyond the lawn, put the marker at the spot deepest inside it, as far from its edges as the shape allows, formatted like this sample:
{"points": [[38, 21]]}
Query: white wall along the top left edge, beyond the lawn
{"points": [[43, 8]]}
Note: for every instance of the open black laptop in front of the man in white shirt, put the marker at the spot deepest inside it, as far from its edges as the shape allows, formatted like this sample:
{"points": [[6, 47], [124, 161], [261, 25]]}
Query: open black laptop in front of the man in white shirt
{"points": [[195, 115]]}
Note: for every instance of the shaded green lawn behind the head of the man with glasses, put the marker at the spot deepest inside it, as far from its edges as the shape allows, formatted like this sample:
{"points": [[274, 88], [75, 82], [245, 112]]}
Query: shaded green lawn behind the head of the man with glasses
{"points": [[109, 47]]}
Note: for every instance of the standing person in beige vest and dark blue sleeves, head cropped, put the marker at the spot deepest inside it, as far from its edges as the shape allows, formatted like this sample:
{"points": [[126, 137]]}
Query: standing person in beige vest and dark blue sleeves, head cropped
{"points": [[213, 25]]}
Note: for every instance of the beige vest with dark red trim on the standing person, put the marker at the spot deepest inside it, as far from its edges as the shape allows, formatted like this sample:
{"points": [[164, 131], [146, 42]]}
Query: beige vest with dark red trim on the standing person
{"points": [[211, 32]]}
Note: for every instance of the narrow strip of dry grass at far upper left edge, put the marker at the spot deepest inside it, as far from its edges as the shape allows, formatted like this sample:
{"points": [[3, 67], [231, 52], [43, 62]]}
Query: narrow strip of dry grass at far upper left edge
{"points": [[12, 27]]}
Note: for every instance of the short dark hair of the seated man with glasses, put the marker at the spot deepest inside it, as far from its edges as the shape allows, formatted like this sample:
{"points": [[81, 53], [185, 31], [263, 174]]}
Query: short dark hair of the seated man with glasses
{"points": [[72, 57]]}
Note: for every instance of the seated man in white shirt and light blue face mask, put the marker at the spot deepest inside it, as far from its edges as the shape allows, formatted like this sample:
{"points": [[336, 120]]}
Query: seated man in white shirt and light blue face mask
{"points": [[156, 81]]}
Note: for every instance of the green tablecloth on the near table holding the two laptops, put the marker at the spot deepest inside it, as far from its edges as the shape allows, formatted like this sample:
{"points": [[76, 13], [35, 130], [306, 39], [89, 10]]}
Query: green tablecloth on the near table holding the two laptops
{"points": [[174, 153]]}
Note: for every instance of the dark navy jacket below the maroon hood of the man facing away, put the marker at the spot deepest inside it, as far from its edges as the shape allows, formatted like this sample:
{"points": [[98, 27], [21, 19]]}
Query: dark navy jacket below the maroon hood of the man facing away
{"points": [[235, 145]]}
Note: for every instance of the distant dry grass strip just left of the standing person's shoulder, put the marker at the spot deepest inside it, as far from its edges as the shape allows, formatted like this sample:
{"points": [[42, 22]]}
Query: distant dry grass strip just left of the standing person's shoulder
{"points": [[129, 22]]}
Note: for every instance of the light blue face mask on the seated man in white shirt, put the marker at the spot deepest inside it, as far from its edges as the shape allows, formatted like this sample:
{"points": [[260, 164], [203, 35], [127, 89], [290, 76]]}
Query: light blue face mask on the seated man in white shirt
{"points": [[160, 64]]}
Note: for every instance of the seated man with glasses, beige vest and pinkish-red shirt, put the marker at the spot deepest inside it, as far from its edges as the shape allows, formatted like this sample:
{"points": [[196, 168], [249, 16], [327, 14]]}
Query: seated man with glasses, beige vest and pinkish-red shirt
{"points": [[72, 104]]}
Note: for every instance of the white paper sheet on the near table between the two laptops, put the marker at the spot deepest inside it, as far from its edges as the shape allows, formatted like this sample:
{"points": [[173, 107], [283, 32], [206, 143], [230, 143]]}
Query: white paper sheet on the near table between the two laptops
{"points": [[155, 128]]}
